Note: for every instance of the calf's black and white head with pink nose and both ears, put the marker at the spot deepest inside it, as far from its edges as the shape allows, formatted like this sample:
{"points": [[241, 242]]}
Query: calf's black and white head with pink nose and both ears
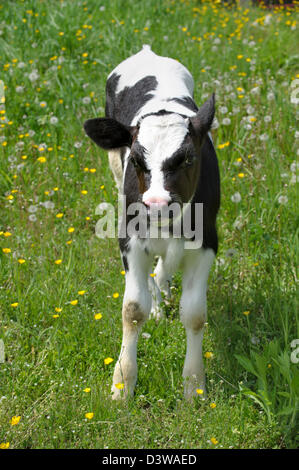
{"points": [[164, 152]]}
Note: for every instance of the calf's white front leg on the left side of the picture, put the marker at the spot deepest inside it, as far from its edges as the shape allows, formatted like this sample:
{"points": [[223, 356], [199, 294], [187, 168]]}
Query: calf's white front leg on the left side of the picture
{"points": [[136, 308]]}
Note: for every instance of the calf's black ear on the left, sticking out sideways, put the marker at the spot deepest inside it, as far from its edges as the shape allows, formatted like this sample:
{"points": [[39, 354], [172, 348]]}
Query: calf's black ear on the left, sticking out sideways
{"points": [[109, 133]]}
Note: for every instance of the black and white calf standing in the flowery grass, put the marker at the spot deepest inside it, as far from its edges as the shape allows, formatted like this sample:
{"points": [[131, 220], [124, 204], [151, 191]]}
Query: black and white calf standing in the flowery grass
{"points": [[160, 151]]}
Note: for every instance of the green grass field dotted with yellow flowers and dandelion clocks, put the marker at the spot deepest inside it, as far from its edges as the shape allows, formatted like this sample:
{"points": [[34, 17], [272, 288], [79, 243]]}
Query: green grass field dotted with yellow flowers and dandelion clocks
{"points": [[56, 275]]}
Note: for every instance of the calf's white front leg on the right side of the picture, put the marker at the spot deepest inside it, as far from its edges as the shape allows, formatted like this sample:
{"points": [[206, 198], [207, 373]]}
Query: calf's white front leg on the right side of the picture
{"points": [[193, 311]]}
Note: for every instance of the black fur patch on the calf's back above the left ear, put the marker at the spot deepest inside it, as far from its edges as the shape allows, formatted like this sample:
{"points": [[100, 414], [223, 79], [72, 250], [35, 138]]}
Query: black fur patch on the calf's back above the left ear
{"points": [[125, 105]]}
